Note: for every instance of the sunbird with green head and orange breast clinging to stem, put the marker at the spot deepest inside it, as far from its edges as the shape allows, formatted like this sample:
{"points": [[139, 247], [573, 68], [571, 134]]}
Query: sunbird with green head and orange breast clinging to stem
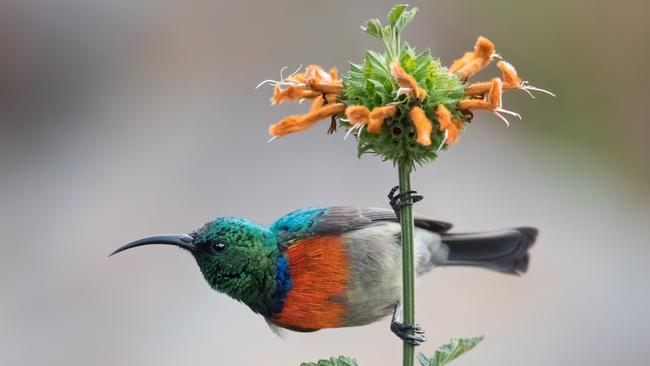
{"points": [[331, 267]]}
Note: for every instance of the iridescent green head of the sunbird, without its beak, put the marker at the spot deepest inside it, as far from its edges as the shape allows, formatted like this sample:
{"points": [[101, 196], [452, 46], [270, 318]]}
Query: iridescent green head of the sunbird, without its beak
{"points": [[245, 268]]}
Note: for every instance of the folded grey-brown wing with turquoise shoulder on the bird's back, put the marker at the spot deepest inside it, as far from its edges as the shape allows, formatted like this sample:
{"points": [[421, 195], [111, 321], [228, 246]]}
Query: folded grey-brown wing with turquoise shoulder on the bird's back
{"points": [[320, 221]]}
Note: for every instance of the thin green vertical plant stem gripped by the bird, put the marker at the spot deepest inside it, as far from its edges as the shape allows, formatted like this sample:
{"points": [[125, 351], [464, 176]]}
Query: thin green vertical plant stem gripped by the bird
{"points": [[408, 273]]}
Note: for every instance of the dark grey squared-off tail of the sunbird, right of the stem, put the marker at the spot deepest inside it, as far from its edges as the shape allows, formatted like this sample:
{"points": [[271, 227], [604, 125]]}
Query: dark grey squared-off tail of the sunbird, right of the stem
{"points": [[503, 250]]}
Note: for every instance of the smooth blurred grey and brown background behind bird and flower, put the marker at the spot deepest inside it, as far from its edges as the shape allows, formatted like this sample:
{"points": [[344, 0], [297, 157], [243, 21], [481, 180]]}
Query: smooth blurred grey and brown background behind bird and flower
{"points": [[121, 119]]}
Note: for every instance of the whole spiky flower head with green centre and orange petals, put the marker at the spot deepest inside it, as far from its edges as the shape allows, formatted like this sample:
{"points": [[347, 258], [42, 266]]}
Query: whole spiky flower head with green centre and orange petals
{"points": [[401, 104]]}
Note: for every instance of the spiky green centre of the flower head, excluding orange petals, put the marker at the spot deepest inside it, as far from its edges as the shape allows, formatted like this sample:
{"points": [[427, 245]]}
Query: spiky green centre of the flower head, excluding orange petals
{"points": [[371, 84]]}
